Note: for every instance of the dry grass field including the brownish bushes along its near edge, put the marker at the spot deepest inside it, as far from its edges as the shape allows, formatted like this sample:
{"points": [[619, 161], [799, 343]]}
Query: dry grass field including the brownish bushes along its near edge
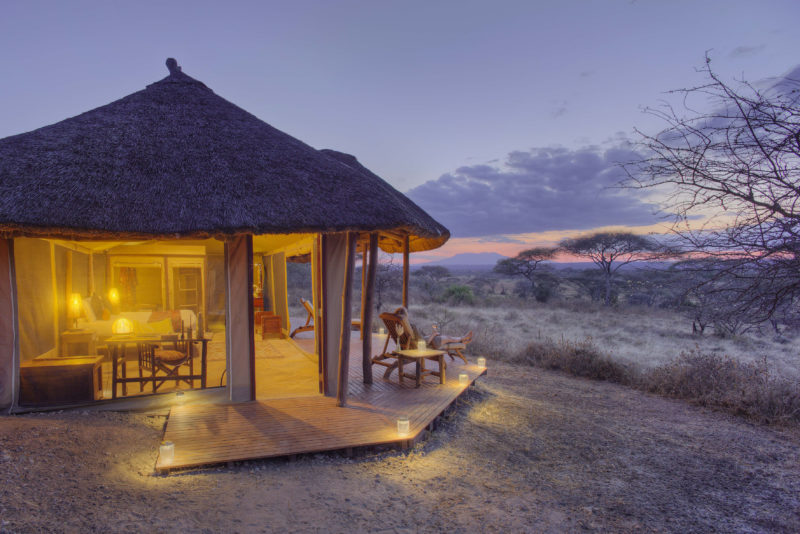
{"points": [[751, 375]]}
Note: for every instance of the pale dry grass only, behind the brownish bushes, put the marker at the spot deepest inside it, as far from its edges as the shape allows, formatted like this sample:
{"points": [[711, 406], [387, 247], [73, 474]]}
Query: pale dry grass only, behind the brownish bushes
{"points": [[641, 337]]}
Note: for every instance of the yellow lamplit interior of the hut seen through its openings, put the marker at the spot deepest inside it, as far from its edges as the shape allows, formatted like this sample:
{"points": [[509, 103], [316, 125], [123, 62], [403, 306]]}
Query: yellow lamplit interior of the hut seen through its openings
{"points": [[89, 310]]}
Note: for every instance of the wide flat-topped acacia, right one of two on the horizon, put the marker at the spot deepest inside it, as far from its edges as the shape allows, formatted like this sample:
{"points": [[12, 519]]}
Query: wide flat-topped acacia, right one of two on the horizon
{"points": [[610, 251]]}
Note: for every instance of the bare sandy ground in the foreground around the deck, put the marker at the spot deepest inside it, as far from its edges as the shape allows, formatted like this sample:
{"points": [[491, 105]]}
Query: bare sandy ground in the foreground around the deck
{"points": [[526, 451]]}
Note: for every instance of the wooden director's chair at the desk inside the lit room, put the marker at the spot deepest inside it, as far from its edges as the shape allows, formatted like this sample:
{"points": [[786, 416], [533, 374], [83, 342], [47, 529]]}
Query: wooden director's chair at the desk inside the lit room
{"points": [[169, 361]]}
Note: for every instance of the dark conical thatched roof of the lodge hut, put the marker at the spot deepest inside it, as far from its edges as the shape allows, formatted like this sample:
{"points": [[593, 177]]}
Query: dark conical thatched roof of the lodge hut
{"points": [[176, 160]]}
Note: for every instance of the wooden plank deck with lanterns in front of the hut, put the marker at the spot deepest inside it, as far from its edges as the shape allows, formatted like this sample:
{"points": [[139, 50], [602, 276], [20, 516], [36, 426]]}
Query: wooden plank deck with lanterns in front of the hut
{"points": [[216, 433]]}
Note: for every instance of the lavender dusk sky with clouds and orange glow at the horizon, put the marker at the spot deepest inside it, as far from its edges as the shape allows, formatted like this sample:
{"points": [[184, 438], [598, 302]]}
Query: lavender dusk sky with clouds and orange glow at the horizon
{"points": [[503, 119]]}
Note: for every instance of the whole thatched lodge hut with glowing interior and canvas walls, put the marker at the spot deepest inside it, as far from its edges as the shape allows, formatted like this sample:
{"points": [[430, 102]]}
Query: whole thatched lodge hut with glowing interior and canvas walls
{"points": [[165, 209]]}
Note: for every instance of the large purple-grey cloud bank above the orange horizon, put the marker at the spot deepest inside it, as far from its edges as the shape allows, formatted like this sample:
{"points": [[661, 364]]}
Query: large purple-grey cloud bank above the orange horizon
{"points": [[539, 190]]}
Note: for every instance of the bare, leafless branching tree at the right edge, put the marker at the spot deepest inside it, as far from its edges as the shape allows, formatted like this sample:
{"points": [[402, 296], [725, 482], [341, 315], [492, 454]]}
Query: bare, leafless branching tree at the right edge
{"points": [[738, 166]]}
